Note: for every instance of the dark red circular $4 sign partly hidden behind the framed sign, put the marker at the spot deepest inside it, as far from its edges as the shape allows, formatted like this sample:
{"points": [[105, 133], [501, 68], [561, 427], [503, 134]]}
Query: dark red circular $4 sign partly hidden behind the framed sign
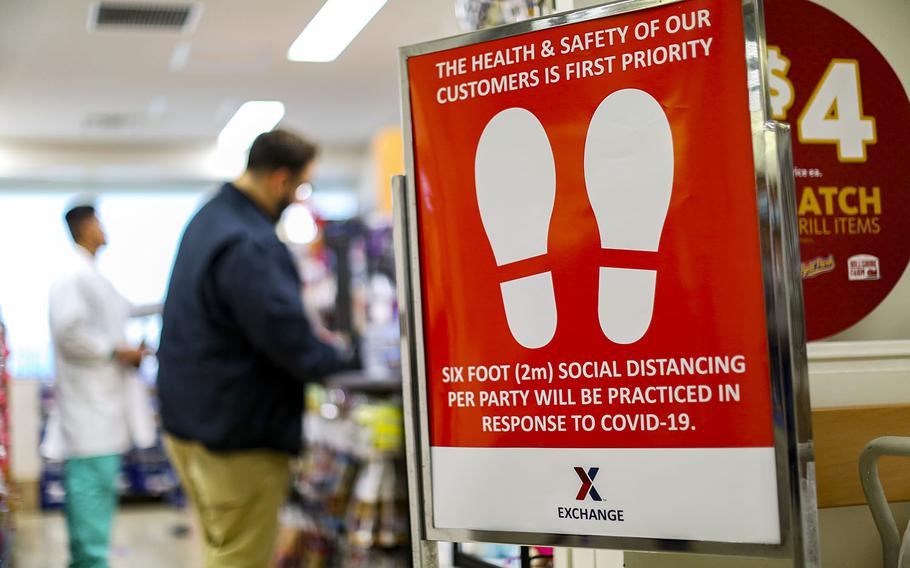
{"points": [[849, 115]]}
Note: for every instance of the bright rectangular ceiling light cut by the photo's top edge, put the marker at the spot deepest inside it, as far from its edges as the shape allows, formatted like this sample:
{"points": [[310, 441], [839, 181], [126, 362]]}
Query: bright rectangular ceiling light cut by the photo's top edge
{"points": [[334, 27]]}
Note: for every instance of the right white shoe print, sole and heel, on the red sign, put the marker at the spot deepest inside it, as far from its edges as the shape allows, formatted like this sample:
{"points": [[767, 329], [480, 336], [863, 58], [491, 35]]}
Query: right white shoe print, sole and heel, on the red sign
{"points": [[629, 176]]}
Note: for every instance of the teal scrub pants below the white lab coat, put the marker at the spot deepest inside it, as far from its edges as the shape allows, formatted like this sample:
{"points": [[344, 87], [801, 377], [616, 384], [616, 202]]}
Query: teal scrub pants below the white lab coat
{"points": [[91, 500]]}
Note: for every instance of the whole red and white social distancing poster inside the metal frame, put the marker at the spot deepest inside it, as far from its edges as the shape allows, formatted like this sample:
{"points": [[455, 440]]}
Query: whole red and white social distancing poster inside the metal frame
{"points": [[591, 272]]}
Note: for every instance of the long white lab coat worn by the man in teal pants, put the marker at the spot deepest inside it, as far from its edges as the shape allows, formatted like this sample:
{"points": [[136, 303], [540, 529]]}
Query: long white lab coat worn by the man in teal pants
{"points": [[101, 407]]}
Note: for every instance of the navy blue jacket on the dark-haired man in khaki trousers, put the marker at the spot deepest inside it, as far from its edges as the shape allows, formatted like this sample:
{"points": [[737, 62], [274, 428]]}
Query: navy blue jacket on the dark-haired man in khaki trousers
{"points": [[236, 347]]}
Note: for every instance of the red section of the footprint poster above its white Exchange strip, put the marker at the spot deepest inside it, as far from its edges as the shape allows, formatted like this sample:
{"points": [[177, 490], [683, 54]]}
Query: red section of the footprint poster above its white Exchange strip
{"points": [[534, 181]]}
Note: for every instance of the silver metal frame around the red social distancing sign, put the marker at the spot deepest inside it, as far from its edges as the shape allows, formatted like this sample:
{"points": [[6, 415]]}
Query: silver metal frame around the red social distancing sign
{"points": [[781, 273]]}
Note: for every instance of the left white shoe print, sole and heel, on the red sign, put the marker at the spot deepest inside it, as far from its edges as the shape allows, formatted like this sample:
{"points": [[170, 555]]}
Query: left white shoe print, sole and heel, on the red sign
{"points": [[515, 178]]}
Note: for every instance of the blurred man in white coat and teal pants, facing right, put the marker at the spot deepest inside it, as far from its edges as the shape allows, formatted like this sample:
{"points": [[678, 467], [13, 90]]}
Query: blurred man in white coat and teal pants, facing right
{"points": [[94, 364]]}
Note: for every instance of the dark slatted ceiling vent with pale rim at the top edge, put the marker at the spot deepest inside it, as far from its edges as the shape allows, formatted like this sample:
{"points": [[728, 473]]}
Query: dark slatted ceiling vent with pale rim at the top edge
{"points": [[124, 16]]}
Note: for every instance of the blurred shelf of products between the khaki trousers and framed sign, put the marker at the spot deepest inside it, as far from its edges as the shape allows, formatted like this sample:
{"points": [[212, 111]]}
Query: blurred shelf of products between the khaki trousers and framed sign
{"points": [[349, 507]]}
